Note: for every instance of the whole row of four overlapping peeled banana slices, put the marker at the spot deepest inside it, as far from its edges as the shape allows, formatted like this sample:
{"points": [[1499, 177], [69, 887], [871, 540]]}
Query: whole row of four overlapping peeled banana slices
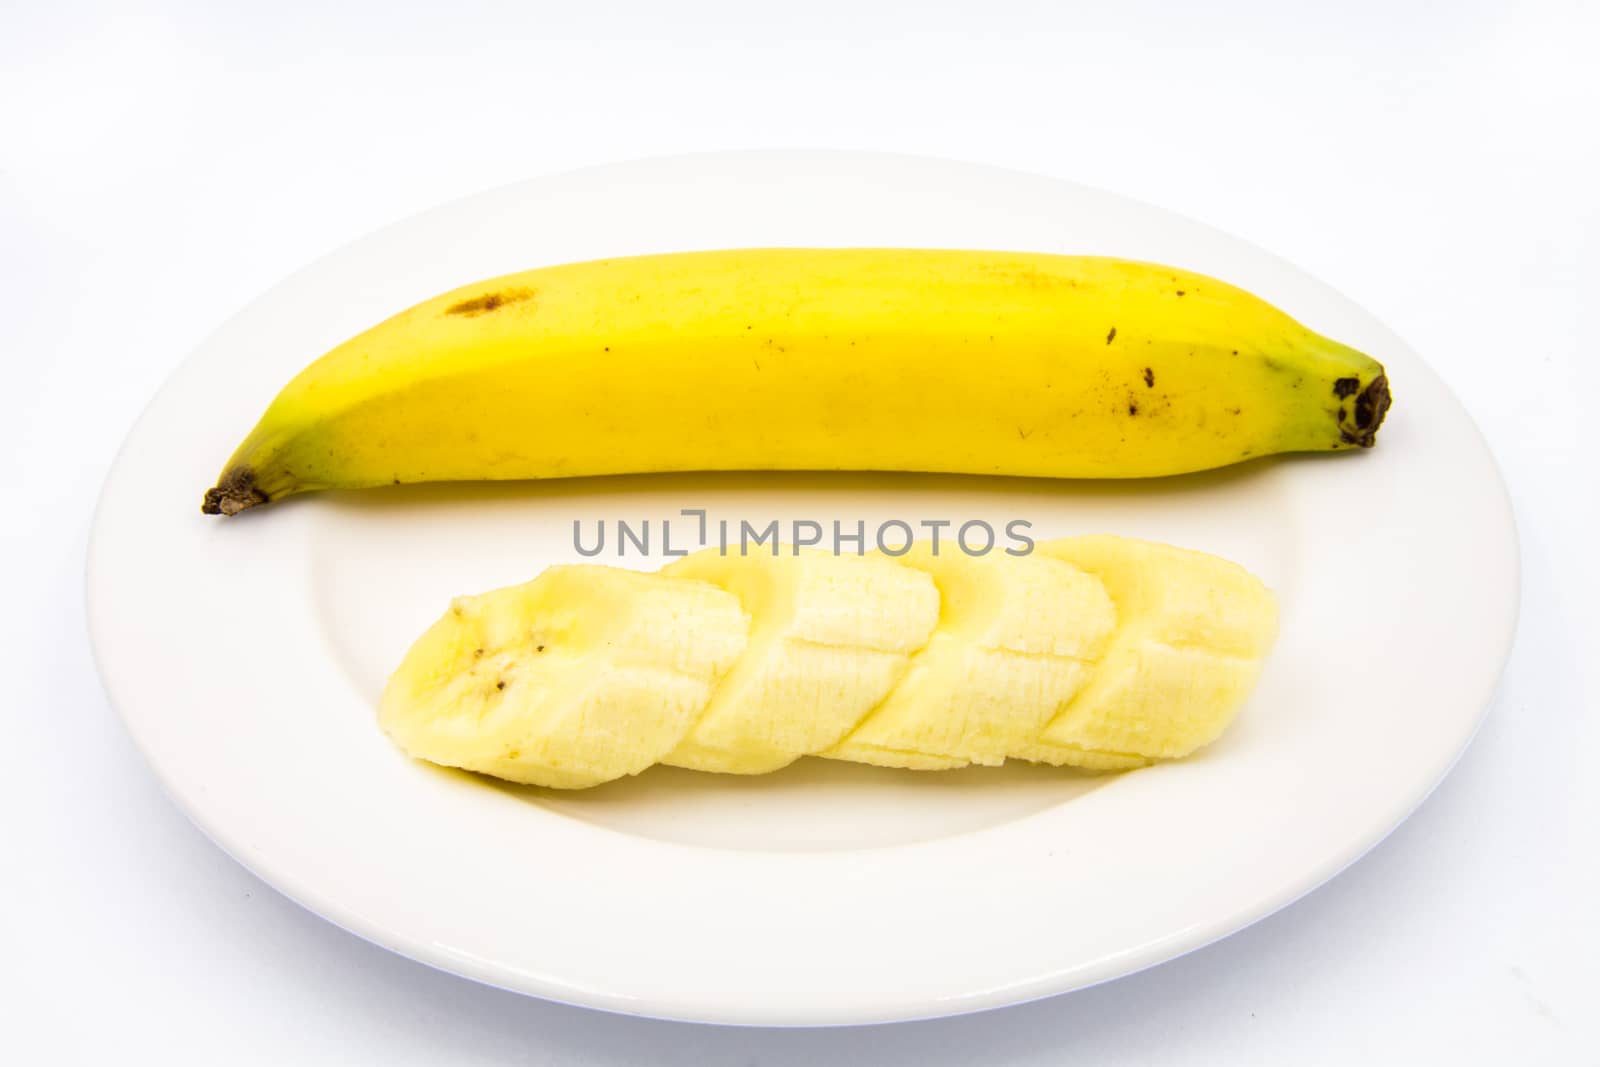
{"points": [[1102, 653]]}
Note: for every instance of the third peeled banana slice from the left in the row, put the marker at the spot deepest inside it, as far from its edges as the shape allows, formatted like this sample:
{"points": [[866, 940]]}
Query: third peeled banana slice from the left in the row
{"points": [[1017, 639]]}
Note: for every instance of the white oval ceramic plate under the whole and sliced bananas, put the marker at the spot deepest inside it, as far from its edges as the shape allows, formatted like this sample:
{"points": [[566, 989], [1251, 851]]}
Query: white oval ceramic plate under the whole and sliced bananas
{"points": [[247, 655]]}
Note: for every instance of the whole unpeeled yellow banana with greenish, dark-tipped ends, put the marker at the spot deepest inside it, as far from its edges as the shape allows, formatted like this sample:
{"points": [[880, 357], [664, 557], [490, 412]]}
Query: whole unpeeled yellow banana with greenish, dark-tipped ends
{"points": [[967, 362]]}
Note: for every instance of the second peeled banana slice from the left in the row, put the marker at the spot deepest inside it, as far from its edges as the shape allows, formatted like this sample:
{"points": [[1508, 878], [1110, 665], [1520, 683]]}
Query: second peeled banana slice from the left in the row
{"points": [[831, 637]]}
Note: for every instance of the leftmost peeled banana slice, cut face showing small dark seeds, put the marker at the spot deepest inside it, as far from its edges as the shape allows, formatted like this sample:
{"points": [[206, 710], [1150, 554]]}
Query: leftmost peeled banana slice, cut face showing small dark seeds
{"points": [[578, 677]]}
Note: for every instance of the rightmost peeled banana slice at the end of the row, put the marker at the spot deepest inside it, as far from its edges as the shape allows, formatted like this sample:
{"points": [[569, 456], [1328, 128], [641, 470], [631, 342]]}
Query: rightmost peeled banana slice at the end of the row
{"points": [[1191, 636]]}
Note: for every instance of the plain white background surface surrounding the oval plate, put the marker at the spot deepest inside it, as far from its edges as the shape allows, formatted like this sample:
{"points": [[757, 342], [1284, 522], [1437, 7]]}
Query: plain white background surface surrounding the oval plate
{"points": [[162, 164]]}
